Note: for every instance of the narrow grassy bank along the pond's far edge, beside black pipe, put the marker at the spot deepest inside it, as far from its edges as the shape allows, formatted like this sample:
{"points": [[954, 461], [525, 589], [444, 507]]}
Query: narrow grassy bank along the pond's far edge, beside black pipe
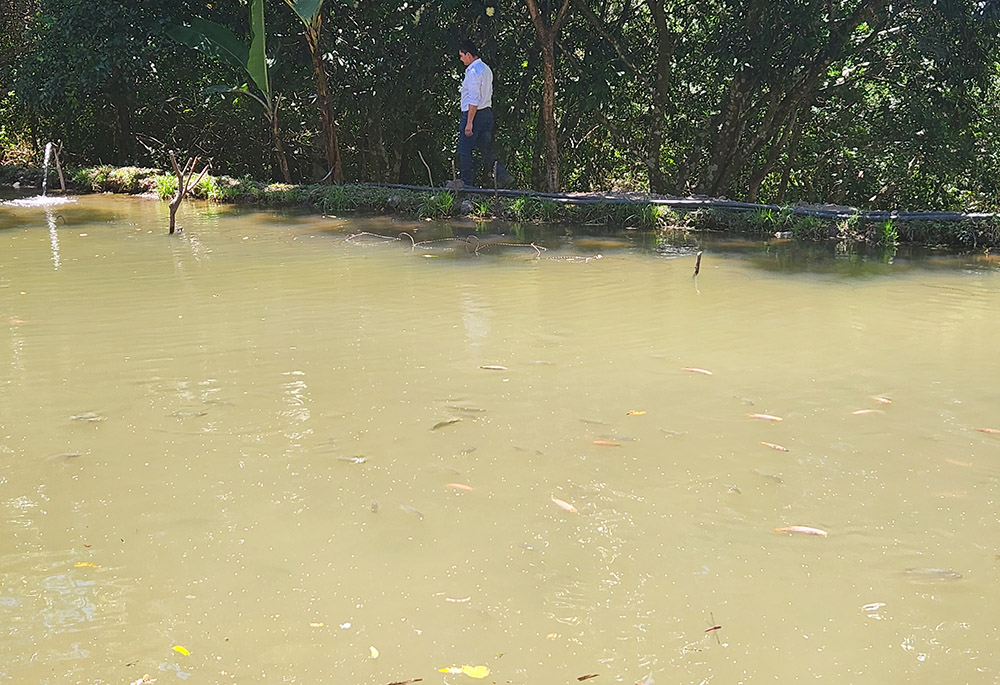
{"points": [[762, 223]]}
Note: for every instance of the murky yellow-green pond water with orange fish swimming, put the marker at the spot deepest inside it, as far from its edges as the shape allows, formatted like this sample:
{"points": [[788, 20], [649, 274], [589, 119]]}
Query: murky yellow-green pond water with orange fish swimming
{"points": [[245, 441]]}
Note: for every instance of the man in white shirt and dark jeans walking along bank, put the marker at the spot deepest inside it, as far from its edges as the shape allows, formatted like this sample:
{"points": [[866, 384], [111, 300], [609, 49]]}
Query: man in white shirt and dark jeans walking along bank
{"points": [[475, 128]]}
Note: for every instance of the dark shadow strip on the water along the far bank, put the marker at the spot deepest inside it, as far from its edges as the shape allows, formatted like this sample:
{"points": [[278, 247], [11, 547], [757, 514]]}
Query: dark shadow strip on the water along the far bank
{"points": [[460, 237]]}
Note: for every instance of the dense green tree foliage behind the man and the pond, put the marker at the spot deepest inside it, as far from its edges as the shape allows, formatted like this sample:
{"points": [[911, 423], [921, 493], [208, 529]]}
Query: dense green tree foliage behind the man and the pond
{"points": [[871, 103]]}
